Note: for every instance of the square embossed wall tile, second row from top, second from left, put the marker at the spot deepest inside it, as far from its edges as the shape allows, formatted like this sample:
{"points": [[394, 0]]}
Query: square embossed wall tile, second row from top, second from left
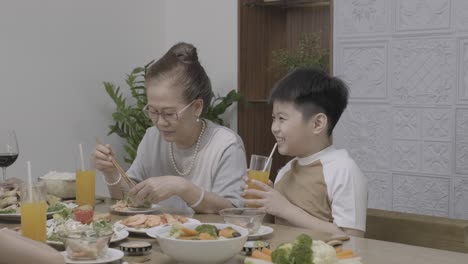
{"points": [[424, 71]]}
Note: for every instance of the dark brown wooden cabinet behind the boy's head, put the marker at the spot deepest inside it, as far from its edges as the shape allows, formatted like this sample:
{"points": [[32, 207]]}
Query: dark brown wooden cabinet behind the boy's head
{"points": [[263, 27]]}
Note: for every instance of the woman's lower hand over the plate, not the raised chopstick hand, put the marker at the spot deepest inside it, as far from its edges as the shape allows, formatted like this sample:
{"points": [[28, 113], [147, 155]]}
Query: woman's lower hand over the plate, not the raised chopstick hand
{"points": [[156, 189]]}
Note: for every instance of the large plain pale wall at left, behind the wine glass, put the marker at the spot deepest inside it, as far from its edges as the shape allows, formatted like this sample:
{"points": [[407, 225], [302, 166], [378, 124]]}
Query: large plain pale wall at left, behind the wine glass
{"points": [[54, 56]]}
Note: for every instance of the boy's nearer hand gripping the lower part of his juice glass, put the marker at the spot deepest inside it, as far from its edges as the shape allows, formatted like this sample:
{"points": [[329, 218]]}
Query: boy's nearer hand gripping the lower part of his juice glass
{"points": [[269, 199]]}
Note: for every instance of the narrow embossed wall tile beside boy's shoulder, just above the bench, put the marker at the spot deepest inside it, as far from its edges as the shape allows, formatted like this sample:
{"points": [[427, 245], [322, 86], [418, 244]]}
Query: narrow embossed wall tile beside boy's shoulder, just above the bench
{"points": [[380, 190]]}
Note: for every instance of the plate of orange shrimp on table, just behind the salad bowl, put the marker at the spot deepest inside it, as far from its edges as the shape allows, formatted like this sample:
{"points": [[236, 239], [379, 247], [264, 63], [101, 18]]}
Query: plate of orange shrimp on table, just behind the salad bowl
{"points": [[140, 223]]}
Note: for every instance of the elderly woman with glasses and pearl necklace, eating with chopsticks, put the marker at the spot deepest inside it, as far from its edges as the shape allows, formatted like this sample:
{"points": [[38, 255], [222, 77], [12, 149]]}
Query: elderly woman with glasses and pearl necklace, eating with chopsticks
{"points": [[184, 161]]}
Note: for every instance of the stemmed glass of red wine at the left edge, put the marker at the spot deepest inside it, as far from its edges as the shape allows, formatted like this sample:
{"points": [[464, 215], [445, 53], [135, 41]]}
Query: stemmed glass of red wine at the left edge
{"points": [[8, 149]]}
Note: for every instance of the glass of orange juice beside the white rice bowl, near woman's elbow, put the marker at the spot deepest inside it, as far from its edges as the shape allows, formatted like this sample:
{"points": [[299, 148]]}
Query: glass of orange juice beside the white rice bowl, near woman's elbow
{"points": [[85, 182]]}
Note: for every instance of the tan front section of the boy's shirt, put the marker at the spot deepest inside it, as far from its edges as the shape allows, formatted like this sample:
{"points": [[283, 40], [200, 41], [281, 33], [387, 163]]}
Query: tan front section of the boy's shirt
{"points": [[305, 187]]}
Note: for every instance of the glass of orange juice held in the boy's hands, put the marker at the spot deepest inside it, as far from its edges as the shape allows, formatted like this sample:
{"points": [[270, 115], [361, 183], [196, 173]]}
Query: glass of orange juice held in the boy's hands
{"points": [[258, 171]]}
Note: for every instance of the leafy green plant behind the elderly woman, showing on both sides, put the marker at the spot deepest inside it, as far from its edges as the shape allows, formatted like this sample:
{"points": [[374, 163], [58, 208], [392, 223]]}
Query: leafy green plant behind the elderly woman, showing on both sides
{"points": [[130, 123]]}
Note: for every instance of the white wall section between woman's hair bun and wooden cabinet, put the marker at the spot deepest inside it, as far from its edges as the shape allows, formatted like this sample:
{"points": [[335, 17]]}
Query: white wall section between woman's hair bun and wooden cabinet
{"points": [[210, 25]]}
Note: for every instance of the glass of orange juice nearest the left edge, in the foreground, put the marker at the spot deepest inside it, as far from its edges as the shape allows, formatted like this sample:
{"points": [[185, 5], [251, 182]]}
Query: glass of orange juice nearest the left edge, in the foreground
{"points": [[34, 211]]}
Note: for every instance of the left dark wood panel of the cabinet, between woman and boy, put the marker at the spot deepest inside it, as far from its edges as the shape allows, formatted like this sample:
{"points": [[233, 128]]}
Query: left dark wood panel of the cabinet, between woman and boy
{"points": [[261, 30]]}
